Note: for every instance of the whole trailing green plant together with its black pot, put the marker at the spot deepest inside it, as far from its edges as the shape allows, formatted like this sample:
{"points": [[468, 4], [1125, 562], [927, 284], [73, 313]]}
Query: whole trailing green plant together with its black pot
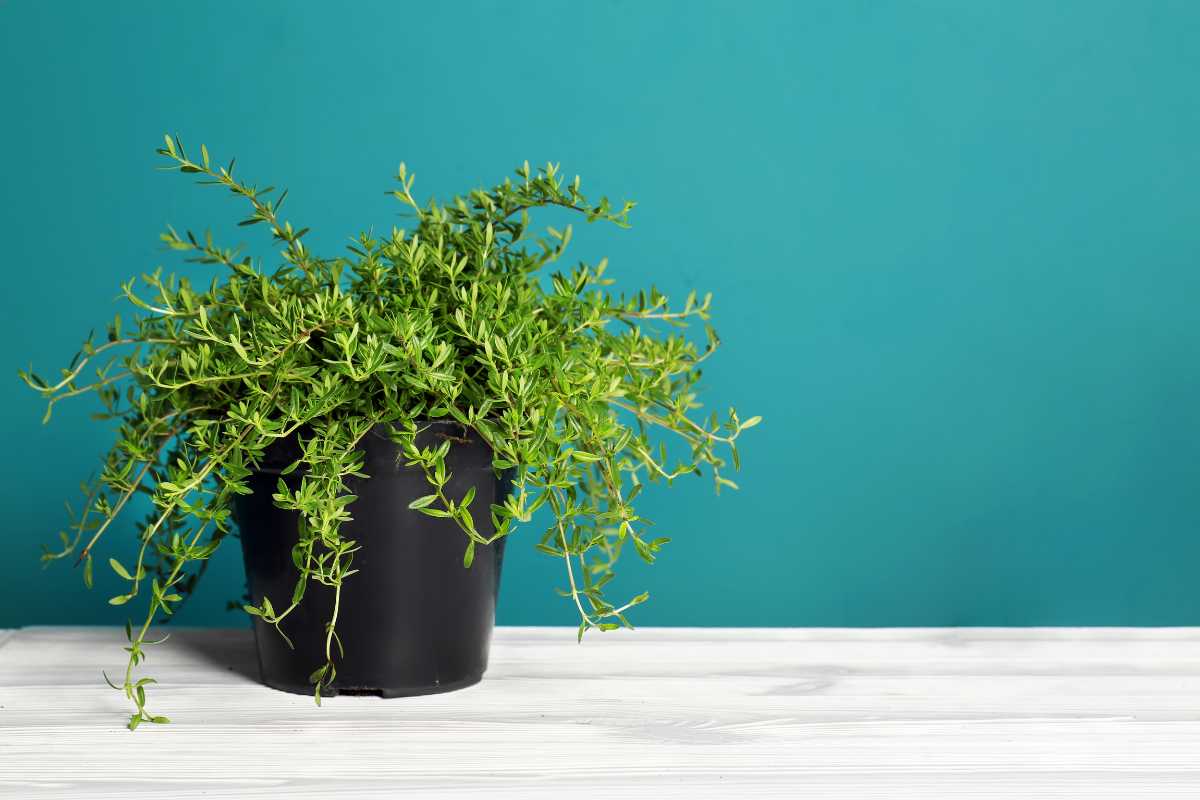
{"points": [[376, 424]]}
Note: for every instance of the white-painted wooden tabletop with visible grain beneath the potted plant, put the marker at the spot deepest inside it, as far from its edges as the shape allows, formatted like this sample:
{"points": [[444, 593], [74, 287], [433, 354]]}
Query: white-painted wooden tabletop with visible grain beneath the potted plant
{"points": [[969, 713]]}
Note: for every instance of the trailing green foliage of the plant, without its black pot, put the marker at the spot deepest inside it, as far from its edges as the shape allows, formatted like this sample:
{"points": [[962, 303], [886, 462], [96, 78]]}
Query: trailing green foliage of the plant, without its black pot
{"points": [[568, 383]]}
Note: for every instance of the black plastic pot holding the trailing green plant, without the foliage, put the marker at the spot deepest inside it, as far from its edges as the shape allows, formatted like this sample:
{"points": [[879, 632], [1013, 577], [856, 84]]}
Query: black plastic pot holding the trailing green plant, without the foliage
{"points": [[413, 621]]}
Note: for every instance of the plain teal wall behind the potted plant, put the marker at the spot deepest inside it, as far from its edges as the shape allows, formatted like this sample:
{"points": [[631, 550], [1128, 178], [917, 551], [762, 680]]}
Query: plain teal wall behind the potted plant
{"points": [[953, 245]]}
